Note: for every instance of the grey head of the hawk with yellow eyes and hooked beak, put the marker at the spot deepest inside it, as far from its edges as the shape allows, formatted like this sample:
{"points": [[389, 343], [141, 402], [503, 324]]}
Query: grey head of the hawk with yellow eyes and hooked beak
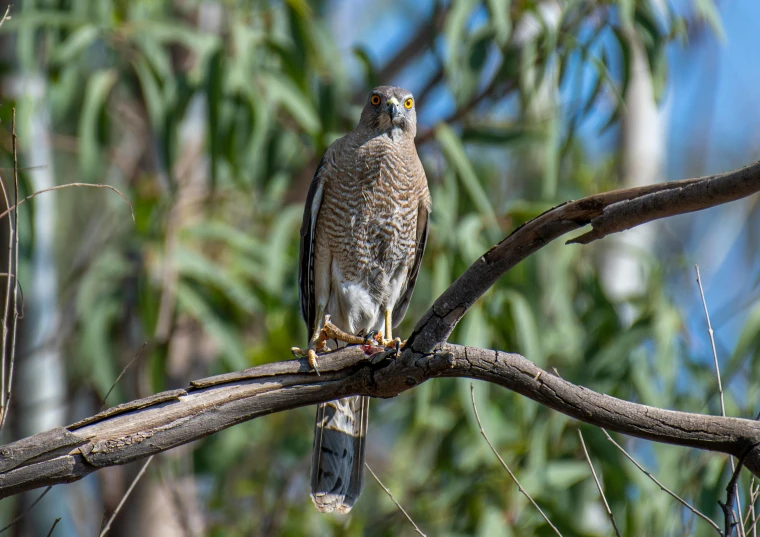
{"points": [[389, 110]]}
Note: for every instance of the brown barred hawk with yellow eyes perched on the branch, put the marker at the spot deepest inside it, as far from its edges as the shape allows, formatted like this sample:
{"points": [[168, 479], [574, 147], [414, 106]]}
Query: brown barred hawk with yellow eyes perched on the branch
{"points": [[363, 234]]}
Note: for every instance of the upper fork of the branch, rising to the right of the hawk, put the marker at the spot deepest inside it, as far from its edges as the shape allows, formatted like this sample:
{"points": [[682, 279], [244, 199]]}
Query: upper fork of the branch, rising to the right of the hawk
{"points": [[607, 213]]}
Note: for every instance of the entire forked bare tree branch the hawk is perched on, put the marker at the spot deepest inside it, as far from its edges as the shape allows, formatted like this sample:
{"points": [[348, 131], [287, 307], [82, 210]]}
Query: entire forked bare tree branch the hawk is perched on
{"points": [[147, 426]]}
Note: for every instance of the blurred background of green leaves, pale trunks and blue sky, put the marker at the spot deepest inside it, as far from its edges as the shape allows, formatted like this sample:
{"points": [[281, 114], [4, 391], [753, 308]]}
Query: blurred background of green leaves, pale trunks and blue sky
{"points": [[211, 116]]}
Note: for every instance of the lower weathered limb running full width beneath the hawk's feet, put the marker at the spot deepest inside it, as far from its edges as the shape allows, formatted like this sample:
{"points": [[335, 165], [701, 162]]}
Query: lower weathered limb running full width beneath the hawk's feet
{"points": [[142, 428]]}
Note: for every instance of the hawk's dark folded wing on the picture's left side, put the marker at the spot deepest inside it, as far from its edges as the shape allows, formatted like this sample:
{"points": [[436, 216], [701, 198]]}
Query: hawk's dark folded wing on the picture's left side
{"points": [[306, 257]]}
